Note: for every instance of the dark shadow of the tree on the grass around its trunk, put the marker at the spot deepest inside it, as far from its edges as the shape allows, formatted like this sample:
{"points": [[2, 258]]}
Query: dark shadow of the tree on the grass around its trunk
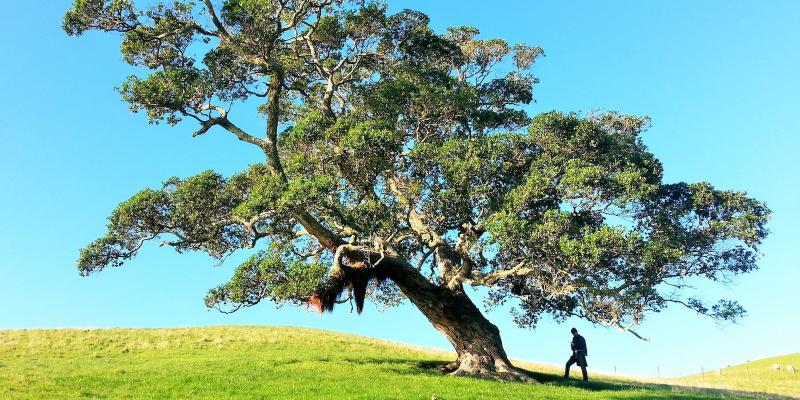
{"points": [[660, 391]]}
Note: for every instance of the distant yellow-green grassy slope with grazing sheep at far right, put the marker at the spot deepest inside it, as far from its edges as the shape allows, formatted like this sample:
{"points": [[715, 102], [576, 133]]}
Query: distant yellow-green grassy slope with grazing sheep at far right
{"points": [[757, 375]]}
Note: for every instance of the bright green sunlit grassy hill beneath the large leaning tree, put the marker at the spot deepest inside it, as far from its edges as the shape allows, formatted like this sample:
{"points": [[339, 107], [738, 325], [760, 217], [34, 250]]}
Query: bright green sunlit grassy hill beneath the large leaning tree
{"points": [[262, 363]]}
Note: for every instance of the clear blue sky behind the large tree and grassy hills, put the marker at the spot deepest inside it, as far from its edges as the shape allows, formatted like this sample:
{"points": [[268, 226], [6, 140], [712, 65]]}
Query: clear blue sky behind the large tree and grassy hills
{"points": [[720, 79]]}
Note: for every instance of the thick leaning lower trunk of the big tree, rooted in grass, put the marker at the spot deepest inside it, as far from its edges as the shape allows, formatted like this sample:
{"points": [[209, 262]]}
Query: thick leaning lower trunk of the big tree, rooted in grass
{"points": [[476, 340]]}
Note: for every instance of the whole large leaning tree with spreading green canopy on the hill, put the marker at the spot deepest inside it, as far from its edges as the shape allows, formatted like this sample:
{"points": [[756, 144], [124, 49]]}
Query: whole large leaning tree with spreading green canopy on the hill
{"points": [[400, 164]]}
